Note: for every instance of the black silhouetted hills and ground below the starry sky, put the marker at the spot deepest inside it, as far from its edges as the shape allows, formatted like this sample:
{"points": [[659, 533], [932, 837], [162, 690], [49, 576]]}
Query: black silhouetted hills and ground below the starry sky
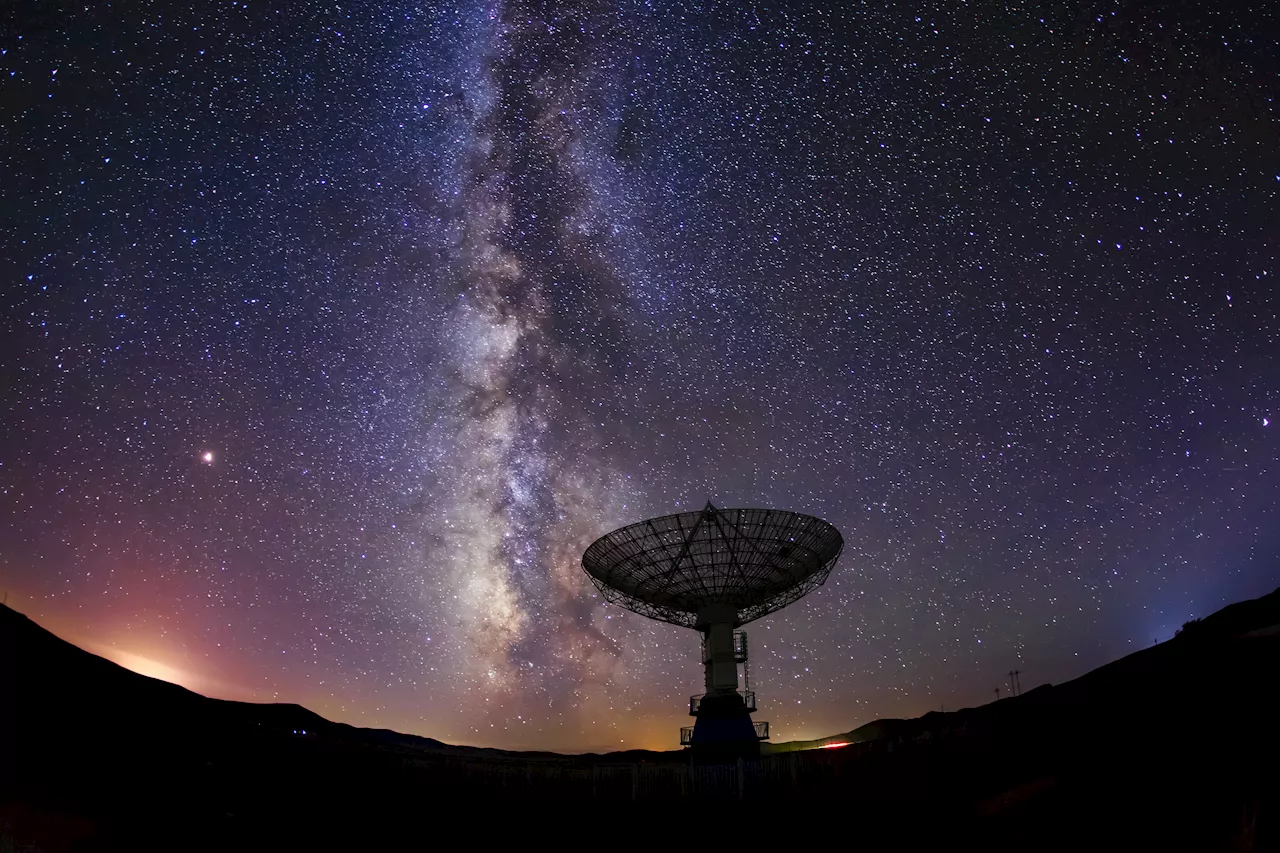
{"points": [[1171, 749]]}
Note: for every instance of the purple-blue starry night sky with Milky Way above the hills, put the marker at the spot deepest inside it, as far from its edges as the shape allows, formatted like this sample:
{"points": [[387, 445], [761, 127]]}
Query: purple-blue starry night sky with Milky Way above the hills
{"points": [[333, 334]]}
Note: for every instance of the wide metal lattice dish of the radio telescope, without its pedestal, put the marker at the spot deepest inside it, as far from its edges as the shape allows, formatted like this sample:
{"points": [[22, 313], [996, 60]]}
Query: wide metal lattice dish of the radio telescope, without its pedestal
{"points": [[756, 562]]}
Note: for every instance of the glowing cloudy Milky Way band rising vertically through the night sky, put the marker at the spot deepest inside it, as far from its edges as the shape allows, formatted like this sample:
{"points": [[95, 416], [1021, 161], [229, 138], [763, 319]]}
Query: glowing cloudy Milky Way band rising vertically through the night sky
{"points": [[529, 482]]}
